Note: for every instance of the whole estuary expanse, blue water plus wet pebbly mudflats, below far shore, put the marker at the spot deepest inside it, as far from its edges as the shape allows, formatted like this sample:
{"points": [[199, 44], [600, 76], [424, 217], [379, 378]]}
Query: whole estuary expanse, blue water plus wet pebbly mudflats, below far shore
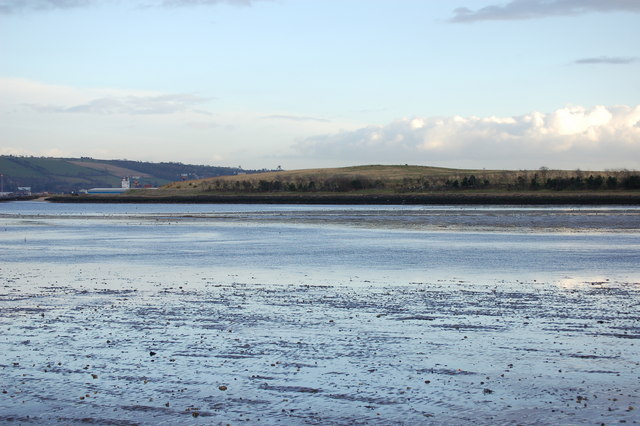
{"points": [[293, 314]]}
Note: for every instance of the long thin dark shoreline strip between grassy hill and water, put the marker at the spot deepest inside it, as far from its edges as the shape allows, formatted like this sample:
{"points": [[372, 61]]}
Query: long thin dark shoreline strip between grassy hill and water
{"points": [[361, 199]]}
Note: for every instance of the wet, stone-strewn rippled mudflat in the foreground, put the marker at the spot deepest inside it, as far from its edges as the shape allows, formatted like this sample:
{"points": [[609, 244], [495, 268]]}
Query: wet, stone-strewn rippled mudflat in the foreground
{"points": [[104, 344]]}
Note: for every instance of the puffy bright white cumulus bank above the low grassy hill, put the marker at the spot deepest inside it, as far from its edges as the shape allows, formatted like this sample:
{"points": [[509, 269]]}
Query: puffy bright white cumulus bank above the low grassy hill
{"points": [[599, 137]]}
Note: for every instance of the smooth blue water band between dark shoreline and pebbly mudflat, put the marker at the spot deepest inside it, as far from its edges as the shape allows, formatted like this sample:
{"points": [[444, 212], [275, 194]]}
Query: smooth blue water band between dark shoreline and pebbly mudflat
{"points": [[406, 242]]}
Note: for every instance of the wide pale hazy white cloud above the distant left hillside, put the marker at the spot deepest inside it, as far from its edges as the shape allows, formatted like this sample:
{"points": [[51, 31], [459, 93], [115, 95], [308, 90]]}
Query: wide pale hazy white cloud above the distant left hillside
{"points": [[144, 125]]}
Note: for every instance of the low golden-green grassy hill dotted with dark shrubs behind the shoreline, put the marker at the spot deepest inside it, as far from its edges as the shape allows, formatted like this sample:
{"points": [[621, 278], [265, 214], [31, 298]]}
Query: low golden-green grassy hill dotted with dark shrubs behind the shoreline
{"points": [[408, 179]]}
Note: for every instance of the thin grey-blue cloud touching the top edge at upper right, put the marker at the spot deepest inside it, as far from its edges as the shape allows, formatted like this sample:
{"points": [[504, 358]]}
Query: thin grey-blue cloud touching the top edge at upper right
{"points": [[532, 9]]}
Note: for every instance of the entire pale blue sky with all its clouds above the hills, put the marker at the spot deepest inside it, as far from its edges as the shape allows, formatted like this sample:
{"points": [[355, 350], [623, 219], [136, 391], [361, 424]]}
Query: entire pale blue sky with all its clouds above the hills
{"points": [[509, 84]]}
